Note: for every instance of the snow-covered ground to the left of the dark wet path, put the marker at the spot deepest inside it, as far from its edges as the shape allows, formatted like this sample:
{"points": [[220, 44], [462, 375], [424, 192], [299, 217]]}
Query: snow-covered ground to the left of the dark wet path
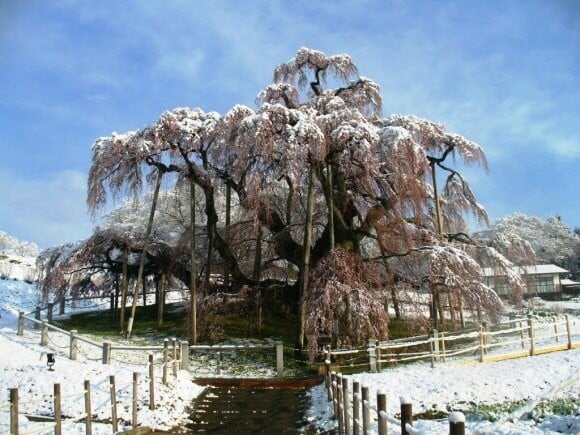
{"points": [[23, 366]]}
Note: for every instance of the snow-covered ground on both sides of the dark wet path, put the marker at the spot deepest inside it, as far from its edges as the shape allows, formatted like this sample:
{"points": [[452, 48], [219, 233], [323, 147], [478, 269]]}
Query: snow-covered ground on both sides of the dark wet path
{"points": [[452, 386]]}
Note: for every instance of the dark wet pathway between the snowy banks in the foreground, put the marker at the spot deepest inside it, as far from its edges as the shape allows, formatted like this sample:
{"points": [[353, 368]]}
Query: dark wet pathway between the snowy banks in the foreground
{"points": [[251, 410]]}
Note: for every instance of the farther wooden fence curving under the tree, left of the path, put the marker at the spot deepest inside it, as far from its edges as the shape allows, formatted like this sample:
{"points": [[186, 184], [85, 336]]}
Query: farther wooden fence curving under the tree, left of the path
{"points": [[175, 355]]}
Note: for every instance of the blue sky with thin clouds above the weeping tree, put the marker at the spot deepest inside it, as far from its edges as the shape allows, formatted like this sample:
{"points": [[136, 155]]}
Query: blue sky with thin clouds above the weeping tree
{"points": [[503, 73]]}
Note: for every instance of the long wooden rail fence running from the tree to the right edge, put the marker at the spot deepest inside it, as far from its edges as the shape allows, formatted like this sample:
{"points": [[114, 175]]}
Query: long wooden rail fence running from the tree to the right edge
{"points": [[511, 339]]}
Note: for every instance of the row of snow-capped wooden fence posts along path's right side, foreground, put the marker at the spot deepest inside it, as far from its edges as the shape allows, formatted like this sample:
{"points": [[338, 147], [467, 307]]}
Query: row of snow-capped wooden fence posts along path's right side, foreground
{"points": [[355, 411]]}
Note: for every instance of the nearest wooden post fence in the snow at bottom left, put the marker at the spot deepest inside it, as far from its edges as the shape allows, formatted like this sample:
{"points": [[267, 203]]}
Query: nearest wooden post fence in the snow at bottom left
{"points": [[57, 423]]}
